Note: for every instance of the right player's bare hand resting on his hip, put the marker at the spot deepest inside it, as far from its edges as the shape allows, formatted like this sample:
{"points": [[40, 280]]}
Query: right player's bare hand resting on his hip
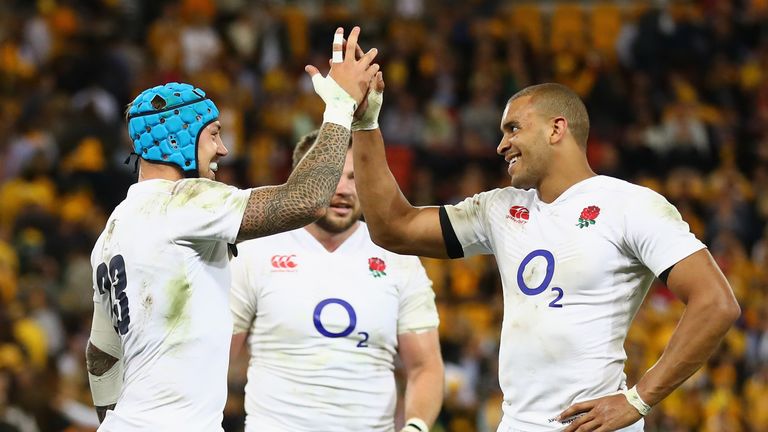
{"points": [[608, 413]]}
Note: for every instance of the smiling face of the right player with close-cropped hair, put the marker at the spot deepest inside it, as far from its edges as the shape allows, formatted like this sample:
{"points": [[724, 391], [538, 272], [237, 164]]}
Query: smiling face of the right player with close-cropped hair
{"points": [[525, 143]]}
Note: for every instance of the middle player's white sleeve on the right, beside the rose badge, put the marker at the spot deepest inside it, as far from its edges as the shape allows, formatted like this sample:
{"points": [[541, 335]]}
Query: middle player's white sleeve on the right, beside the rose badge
{"points": [[417, 310]]}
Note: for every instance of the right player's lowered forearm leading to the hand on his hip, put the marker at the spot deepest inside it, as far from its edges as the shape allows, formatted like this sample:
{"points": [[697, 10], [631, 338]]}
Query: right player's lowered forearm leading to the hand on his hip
{"points": [[699, 332]]}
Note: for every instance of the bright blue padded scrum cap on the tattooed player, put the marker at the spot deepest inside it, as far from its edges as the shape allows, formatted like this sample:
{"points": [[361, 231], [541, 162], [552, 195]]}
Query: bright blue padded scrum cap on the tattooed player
{"points": [[165, 123]]}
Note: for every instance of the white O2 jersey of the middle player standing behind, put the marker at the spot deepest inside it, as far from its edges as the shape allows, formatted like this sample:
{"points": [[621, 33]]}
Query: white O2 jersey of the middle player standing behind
{"points": [[323, 330]]}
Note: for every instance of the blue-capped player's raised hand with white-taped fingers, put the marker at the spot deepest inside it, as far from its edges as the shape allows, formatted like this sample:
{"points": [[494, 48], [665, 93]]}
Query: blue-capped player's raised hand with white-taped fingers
{"points": [[353, 75]]}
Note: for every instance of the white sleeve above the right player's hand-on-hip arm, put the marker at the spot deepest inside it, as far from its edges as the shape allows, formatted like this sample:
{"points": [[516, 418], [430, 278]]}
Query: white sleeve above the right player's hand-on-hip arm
{"points": [[656, 233]]}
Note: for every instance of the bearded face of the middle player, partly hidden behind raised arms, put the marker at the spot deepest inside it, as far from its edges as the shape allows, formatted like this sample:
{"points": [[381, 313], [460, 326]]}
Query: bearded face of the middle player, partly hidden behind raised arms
{"points": [[344, 210]]}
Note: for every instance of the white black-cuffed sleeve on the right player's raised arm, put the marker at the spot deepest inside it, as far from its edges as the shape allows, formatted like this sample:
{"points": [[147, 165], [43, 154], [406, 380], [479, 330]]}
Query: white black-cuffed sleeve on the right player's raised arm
{"points": [[469, 222]]}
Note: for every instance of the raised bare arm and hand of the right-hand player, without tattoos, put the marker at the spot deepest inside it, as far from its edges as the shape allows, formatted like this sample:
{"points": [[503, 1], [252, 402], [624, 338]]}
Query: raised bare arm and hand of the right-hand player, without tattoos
{"points": [[393, 222]]}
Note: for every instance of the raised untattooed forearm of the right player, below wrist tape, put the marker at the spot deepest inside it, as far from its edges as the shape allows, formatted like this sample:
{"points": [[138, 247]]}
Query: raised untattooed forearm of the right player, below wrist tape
{"points": [[382, 201]]}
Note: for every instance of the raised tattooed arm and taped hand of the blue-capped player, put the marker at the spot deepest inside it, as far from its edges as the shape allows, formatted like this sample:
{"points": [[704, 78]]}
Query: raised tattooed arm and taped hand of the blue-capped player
{"points": [[307, 192]]}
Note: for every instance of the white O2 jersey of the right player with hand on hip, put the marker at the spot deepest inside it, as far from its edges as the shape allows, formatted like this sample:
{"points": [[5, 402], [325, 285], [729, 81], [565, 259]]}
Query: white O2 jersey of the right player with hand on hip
{"points": [[574, 273]]}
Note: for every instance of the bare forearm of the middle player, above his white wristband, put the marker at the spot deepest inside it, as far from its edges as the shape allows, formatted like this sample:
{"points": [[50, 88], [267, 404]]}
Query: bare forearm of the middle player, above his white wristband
{"points": [[424, 393]]}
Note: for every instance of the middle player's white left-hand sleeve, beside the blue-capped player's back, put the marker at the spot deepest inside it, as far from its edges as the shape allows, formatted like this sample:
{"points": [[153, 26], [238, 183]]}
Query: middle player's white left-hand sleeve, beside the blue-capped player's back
{"points": [[242, 294]]}
